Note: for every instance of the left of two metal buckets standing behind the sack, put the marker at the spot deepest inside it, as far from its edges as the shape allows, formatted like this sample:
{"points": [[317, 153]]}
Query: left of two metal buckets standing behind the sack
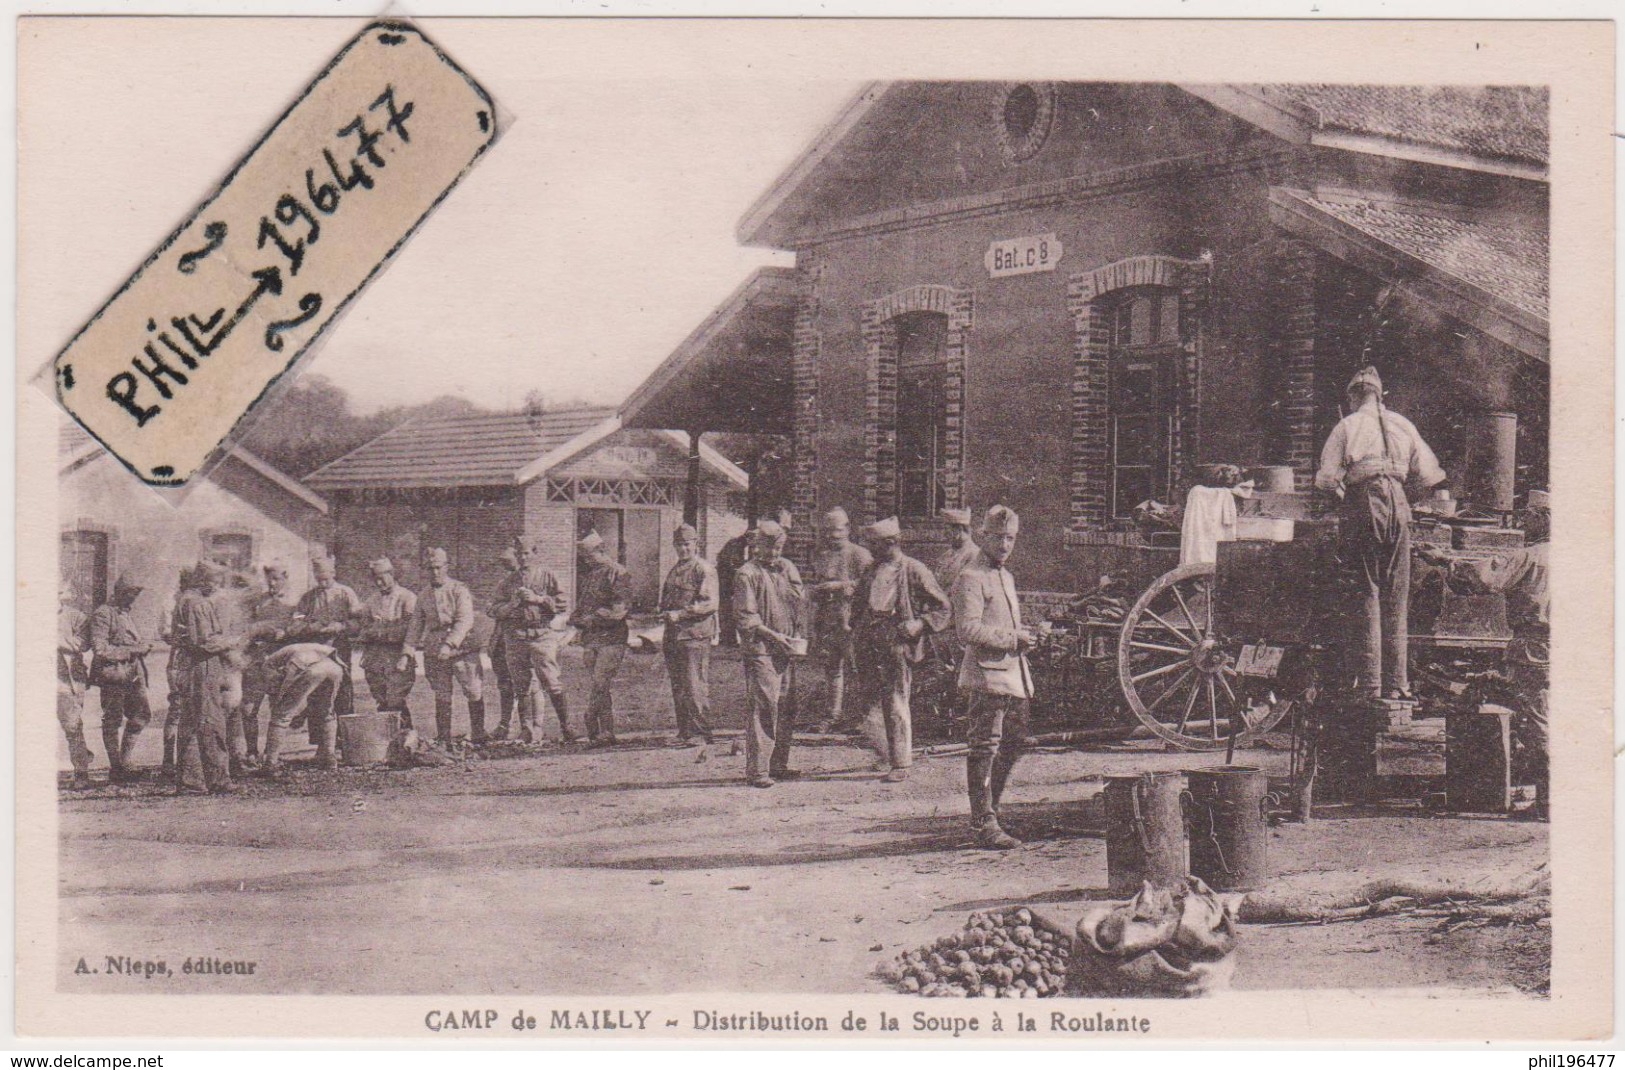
{"points": [[1145, 832]]}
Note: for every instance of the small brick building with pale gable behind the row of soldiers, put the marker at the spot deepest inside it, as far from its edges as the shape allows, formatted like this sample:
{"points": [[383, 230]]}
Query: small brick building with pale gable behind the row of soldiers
{"points": [[472, 484]]}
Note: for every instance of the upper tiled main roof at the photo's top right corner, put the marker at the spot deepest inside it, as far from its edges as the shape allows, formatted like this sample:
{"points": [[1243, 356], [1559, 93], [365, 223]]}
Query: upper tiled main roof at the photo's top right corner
{"points": [[1497, 123]]}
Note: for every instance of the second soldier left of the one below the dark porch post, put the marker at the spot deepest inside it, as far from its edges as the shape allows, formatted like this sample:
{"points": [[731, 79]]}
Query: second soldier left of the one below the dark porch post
{"points": [[532, 607]]}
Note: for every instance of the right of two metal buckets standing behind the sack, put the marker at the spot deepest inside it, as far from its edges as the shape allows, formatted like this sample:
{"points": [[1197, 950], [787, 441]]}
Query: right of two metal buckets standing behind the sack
{"points": [[1228, 827]]}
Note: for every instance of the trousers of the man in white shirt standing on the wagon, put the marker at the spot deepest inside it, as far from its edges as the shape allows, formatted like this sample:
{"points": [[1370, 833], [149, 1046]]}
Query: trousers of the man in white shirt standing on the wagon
{"points": [[1374, 531]]}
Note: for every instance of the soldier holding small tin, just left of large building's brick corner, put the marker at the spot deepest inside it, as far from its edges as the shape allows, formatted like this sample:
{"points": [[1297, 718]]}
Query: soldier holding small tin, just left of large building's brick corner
{"points": [[768, 609]]}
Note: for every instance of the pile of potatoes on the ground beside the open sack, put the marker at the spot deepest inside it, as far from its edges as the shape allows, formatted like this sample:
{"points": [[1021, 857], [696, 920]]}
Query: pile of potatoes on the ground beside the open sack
{"points": [[997, 955]]}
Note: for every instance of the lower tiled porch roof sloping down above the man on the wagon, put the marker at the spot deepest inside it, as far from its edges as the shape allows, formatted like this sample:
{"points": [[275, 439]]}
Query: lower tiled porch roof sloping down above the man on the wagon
{"points": [[1506, 259]]}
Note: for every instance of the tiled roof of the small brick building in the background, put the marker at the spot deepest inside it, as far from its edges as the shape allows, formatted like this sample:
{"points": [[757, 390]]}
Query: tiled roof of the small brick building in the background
{"points": [[456, 451]]}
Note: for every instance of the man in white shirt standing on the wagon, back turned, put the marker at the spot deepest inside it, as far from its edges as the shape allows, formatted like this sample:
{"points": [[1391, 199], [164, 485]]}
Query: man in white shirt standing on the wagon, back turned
{"points": [[1369, 461]]}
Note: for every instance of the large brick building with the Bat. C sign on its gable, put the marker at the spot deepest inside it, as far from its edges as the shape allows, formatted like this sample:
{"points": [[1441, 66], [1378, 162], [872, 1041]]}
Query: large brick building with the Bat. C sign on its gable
{"points": [[1065, 297]]}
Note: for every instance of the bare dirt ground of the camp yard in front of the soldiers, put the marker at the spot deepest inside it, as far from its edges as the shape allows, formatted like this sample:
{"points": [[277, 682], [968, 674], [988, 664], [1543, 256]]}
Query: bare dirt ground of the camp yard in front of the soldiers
{"points": [[656, 869]]}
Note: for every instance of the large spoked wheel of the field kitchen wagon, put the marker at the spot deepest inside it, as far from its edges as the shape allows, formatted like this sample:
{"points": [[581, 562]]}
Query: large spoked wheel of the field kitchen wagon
{"points": [[1179, 676]]}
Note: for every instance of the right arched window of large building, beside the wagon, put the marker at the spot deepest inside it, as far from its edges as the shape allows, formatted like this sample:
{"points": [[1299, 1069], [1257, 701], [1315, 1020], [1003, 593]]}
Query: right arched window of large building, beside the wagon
{"points": [[1143, 328]]}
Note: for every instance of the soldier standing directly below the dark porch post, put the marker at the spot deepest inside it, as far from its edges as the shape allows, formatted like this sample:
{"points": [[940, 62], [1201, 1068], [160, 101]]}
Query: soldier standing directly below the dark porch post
{"points": [[688, 604]]}
